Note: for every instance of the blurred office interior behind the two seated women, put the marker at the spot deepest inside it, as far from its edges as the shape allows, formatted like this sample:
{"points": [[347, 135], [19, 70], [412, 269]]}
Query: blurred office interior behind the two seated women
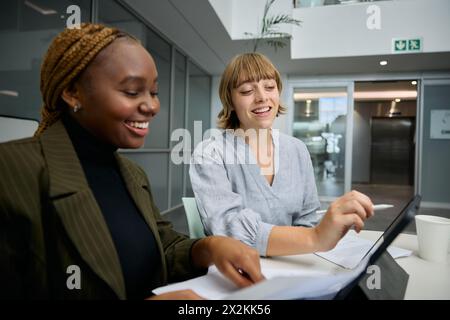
{"points": [[366, 83]]}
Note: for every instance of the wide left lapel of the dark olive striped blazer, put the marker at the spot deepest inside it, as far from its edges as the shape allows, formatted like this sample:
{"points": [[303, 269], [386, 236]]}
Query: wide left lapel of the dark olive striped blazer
{"points": [[78, 210]]}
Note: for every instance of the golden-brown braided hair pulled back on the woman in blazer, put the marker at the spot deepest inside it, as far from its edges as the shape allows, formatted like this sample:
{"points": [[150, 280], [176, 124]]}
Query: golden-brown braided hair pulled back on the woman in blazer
{"points": [[68, 56]]}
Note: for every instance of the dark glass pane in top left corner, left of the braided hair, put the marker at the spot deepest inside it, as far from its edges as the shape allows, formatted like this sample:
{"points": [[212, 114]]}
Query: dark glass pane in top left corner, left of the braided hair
{"points": [[26, 30]]}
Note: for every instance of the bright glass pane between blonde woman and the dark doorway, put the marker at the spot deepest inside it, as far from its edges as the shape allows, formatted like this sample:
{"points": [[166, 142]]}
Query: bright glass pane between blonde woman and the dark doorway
{"points": [[320, 116]]}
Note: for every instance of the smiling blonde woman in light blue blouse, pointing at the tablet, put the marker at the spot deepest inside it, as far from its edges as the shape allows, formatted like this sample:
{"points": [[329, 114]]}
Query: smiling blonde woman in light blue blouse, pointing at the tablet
{"points": [[256, 184]]}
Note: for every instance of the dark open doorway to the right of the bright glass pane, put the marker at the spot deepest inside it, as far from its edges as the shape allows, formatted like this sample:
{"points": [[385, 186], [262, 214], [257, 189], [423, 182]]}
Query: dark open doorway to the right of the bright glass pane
{"points": [[384, 143]]}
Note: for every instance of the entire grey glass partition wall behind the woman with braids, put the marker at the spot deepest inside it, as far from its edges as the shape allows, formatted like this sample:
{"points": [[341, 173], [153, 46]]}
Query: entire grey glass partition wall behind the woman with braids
{"points": [[26, 30]]}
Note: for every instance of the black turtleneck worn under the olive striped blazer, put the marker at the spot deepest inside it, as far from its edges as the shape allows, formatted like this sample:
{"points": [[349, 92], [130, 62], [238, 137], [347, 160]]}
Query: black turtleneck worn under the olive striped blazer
{"points": [[133, 239]]}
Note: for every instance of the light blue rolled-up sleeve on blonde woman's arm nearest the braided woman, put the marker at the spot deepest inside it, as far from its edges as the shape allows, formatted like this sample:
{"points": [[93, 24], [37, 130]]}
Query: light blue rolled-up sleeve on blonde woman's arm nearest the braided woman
{"points": [[222, 211]]}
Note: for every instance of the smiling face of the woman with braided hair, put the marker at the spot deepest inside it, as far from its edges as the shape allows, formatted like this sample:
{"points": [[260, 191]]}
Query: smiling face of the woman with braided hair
{"points": [[118, 94]]}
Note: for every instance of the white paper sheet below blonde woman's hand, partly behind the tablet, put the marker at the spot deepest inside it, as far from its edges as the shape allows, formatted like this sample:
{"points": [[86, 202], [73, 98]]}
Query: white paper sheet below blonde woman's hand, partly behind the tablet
{"points": [[351, 249]]}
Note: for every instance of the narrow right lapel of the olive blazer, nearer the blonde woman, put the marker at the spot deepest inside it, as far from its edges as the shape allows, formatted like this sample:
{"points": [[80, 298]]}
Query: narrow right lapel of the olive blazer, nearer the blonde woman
{"points": [[139, 190]]}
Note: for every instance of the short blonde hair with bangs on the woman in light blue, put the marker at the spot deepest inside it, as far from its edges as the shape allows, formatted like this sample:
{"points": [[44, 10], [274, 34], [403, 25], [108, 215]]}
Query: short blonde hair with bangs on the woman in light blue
{"points": [[244, 67]]}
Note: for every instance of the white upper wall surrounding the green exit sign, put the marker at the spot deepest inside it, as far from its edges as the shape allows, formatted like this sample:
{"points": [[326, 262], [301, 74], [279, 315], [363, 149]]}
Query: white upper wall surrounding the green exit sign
{"points": [[337, 31]]}
